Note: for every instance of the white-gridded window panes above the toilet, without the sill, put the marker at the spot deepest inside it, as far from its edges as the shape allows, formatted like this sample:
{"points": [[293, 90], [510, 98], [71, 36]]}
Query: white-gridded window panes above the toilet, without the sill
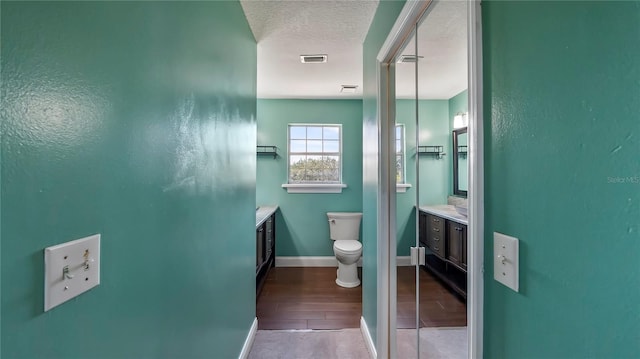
{"points": [[315, 154]]}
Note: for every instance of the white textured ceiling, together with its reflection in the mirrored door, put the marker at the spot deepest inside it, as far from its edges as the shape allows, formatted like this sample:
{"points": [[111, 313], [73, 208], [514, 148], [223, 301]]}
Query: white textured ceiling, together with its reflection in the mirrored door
{"points": [[285, 30]]}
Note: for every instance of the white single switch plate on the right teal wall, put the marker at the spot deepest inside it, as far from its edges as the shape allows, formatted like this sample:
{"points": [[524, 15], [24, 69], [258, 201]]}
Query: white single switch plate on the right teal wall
{"points": [[505, 260]]}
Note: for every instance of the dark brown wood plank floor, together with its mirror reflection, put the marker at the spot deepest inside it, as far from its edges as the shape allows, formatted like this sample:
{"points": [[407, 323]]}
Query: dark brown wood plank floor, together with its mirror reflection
{"points": [[309, 298]]}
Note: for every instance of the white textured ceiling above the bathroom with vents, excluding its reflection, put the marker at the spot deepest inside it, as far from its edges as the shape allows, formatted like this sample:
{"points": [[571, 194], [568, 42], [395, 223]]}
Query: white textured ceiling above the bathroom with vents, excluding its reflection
{"points": [[285, 30]]}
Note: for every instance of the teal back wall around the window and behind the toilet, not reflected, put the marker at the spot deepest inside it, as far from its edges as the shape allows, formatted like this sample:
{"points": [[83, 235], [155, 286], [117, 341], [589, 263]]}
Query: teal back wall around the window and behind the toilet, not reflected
{"points": [[302, 220]]}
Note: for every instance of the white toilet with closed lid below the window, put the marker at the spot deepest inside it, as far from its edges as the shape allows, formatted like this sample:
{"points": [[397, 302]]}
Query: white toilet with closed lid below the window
{"points": [[344, 229]]}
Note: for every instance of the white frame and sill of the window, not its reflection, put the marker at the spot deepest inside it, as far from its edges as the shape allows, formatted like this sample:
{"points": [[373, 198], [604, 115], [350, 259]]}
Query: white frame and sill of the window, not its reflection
{"points": [[314, 187]]}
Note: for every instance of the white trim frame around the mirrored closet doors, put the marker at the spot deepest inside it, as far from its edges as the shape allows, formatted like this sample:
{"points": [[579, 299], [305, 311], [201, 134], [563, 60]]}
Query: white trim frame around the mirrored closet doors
{"points": [[387, 281]]}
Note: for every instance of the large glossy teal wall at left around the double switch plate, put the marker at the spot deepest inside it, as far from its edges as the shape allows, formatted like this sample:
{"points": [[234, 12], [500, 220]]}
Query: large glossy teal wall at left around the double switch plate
{"points": [[135, 120]]}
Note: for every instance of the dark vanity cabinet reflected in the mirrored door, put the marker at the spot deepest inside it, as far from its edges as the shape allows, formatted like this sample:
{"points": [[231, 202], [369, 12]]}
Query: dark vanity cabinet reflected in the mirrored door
{"points": [[445, 244]]}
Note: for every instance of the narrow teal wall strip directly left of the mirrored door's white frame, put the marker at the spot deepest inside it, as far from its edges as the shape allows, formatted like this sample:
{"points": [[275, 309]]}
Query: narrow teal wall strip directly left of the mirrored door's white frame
{"points": [[385, 17]]}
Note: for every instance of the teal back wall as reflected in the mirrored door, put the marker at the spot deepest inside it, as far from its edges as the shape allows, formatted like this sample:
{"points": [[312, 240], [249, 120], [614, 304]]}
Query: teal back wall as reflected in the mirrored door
{"points": [[434, 173]]}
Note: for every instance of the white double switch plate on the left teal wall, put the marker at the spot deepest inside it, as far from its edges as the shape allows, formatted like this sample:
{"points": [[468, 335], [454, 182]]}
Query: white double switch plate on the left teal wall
{"points": [[70, 269]]}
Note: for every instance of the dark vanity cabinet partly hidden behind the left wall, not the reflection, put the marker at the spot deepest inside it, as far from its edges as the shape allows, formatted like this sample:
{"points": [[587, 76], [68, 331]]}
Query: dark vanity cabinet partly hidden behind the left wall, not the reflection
{"points": [[265, 249]]}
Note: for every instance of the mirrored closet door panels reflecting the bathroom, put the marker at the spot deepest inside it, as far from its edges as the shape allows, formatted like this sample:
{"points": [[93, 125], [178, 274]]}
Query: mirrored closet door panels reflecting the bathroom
{"points": [[431, 89]]}
